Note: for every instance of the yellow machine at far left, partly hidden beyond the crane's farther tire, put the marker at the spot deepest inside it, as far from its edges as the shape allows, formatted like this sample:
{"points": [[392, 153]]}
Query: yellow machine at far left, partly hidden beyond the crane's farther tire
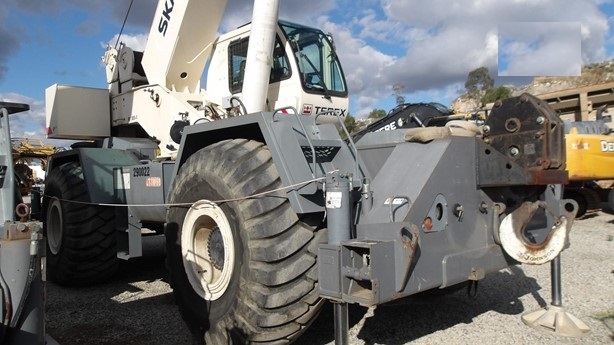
{"points": [[25, 152]]}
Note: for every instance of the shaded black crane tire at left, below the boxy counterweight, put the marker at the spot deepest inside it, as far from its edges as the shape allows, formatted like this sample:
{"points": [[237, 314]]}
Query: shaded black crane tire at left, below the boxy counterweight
{"points": [[81, 239]]}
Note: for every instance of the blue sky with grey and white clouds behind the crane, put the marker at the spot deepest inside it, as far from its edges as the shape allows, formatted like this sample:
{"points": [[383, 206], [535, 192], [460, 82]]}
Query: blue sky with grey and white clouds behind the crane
{"points": [[425, 48]]}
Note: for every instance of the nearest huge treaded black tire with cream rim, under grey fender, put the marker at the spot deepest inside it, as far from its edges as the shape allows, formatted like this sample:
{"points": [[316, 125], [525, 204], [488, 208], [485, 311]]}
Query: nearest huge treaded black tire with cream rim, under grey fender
{"points": [[267, 291]]}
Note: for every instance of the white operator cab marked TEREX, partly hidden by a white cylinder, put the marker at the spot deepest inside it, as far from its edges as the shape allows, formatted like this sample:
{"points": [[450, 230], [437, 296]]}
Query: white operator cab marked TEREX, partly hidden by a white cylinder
{"points": [[305, 71]]}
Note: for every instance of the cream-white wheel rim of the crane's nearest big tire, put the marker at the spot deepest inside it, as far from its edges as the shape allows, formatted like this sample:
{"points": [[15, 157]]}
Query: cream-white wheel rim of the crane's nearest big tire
{"points": [[208, 274]]}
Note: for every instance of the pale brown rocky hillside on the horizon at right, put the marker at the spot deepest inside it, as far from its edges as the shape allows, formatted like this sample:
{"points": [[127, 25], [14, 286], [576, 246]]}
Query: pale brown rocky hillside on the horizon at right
{"points": [[595, 73]]}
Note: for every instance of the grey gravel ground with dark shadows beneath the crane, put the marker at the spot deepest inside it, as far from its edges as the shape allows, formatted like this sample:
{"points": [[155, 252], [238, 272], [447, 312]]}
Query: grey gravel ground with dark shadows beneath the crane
{"points": [[137, 307]]}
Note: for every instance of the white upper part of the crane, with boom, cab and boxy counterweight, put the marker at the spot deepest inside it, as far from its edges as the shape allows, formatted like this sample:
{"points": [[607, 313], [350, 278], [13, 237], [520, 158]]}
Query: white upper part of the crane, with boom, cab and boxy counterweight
{"points": [[153, 91]]}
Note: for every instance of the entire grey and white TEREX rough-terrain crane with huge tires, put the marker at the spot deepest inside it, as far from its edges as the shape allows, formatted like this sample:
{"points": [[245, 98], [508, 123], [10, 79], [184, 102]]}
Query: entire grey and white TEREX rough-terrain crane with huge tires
{"points": [[269, 213]]}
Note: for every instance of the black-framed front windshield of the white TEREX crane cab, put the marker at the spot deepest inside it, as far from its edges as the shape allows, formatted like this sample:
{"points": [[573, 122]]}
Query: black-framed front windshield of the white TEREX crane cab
{"points": [[316, 59]]}
